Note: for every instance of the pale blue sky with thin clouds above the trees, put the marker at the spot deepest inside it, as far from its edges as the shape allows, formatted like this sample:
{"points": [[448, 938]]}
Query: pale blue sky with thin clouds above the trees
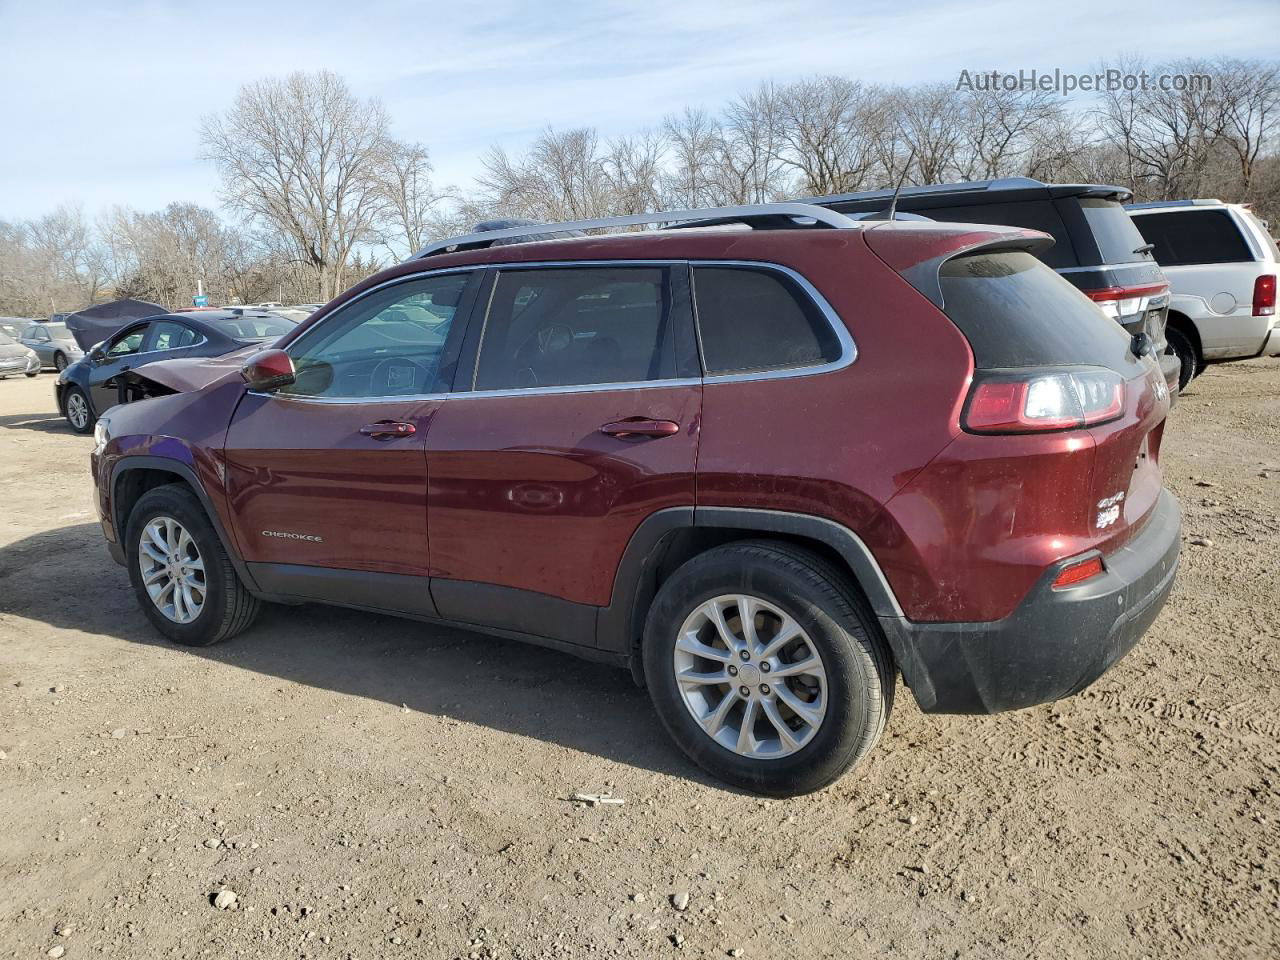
{"points": [[100, 102]]}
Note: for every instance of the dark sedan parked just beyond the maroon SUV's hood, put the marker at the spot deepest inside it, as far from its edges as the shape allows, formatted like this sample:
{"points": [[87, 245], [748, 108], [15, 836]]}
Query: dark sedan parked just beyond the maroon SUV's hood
{"points": [[97, 383]]}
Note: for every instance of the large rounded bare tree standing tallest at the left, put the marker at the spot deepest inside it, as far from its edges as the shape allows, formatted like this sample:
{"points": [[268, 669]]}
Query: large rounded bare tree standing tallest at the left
{"points": [[307, 158]]}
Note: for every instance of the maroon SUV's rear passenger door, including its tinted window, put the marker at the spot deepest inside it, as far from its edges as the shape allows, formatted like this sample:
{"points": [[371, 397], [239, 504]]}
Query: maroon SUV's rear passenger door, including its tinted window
{"points": [[579, 422]]}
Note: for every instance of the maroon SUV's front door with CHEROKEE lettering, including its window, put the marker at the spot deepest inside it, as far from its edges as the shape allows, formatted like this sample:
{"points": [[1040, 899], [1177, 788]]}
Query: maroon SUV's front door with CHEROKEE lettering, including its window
{"points": [[328, 476]]}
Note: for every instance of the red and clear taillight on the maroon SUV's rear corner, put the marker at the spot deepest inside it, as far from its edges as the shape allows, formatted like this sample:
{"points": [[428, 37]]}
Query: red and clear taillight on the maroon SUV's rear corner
{"points": [[1039, 401]]}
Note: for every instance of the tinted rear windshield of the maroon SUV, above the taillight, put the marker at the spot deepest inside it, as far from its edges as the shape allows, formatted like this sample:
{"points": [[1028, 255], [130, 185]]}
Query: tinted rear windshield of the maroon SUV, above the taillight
{"points": [[1016, 312]]}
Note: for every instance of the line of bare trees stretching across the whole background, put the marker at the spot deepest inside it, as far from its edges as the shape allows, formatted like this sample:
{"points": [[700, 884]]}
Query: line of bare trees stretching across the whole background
{"points": [[324, 195]]}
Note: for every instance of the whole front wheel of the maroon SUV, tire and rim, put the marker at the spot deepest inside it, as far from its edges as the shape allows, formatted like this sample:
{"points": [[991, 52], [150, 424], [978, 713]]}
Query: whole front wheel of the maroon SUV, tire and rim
{"points": [[182, 577]]}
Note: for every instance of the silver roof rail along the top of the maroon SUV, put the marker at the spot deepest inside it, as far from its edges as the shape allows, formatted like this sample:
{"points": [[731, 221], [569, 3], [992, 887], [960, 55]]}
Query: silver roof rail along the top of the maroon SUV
{"points": [[760, 216]]}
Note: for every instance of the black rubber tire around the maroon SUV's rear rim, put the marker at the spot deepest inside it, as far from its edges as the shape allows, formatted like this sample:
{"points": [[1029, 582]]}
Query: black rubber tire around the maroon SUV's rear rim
{"points": [[858, 666]]}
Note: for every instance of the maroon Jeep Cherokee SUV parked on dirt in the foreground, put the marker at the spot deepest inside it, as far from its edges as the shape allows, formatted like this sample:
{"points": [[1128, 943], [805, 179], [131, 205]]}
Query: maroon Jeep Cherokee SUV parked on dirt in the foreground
{"points": [[766, 465]]}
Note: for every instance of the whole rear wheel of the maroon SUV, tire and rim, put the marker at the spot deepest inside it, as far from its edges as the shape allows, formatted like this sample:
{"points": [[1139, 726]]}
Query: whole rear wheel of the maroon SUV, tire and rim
{"points": [[766, 669]]}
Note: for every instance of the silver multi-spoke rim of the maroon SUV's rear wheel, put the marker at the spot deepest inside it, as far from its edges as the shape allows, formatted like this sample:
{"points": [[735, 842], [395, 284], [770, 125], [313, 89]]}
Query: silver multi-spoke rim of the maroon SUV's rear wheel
{"points": [[751, 676]]}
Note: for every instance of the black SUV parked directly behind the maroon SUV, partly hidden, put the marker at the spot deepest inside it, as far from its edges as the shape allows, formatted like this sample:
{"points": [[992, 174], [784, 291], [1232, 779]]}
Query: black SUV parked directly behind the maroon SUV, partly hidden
{"points": [[1096, 245]]}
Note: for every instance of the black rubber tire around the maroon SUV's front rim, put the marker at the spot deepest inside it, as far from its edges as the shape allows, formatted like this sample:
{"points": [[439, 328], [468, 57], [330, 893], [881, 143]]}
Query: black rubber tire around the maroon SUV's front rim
{"points": [[228, 607]]}
